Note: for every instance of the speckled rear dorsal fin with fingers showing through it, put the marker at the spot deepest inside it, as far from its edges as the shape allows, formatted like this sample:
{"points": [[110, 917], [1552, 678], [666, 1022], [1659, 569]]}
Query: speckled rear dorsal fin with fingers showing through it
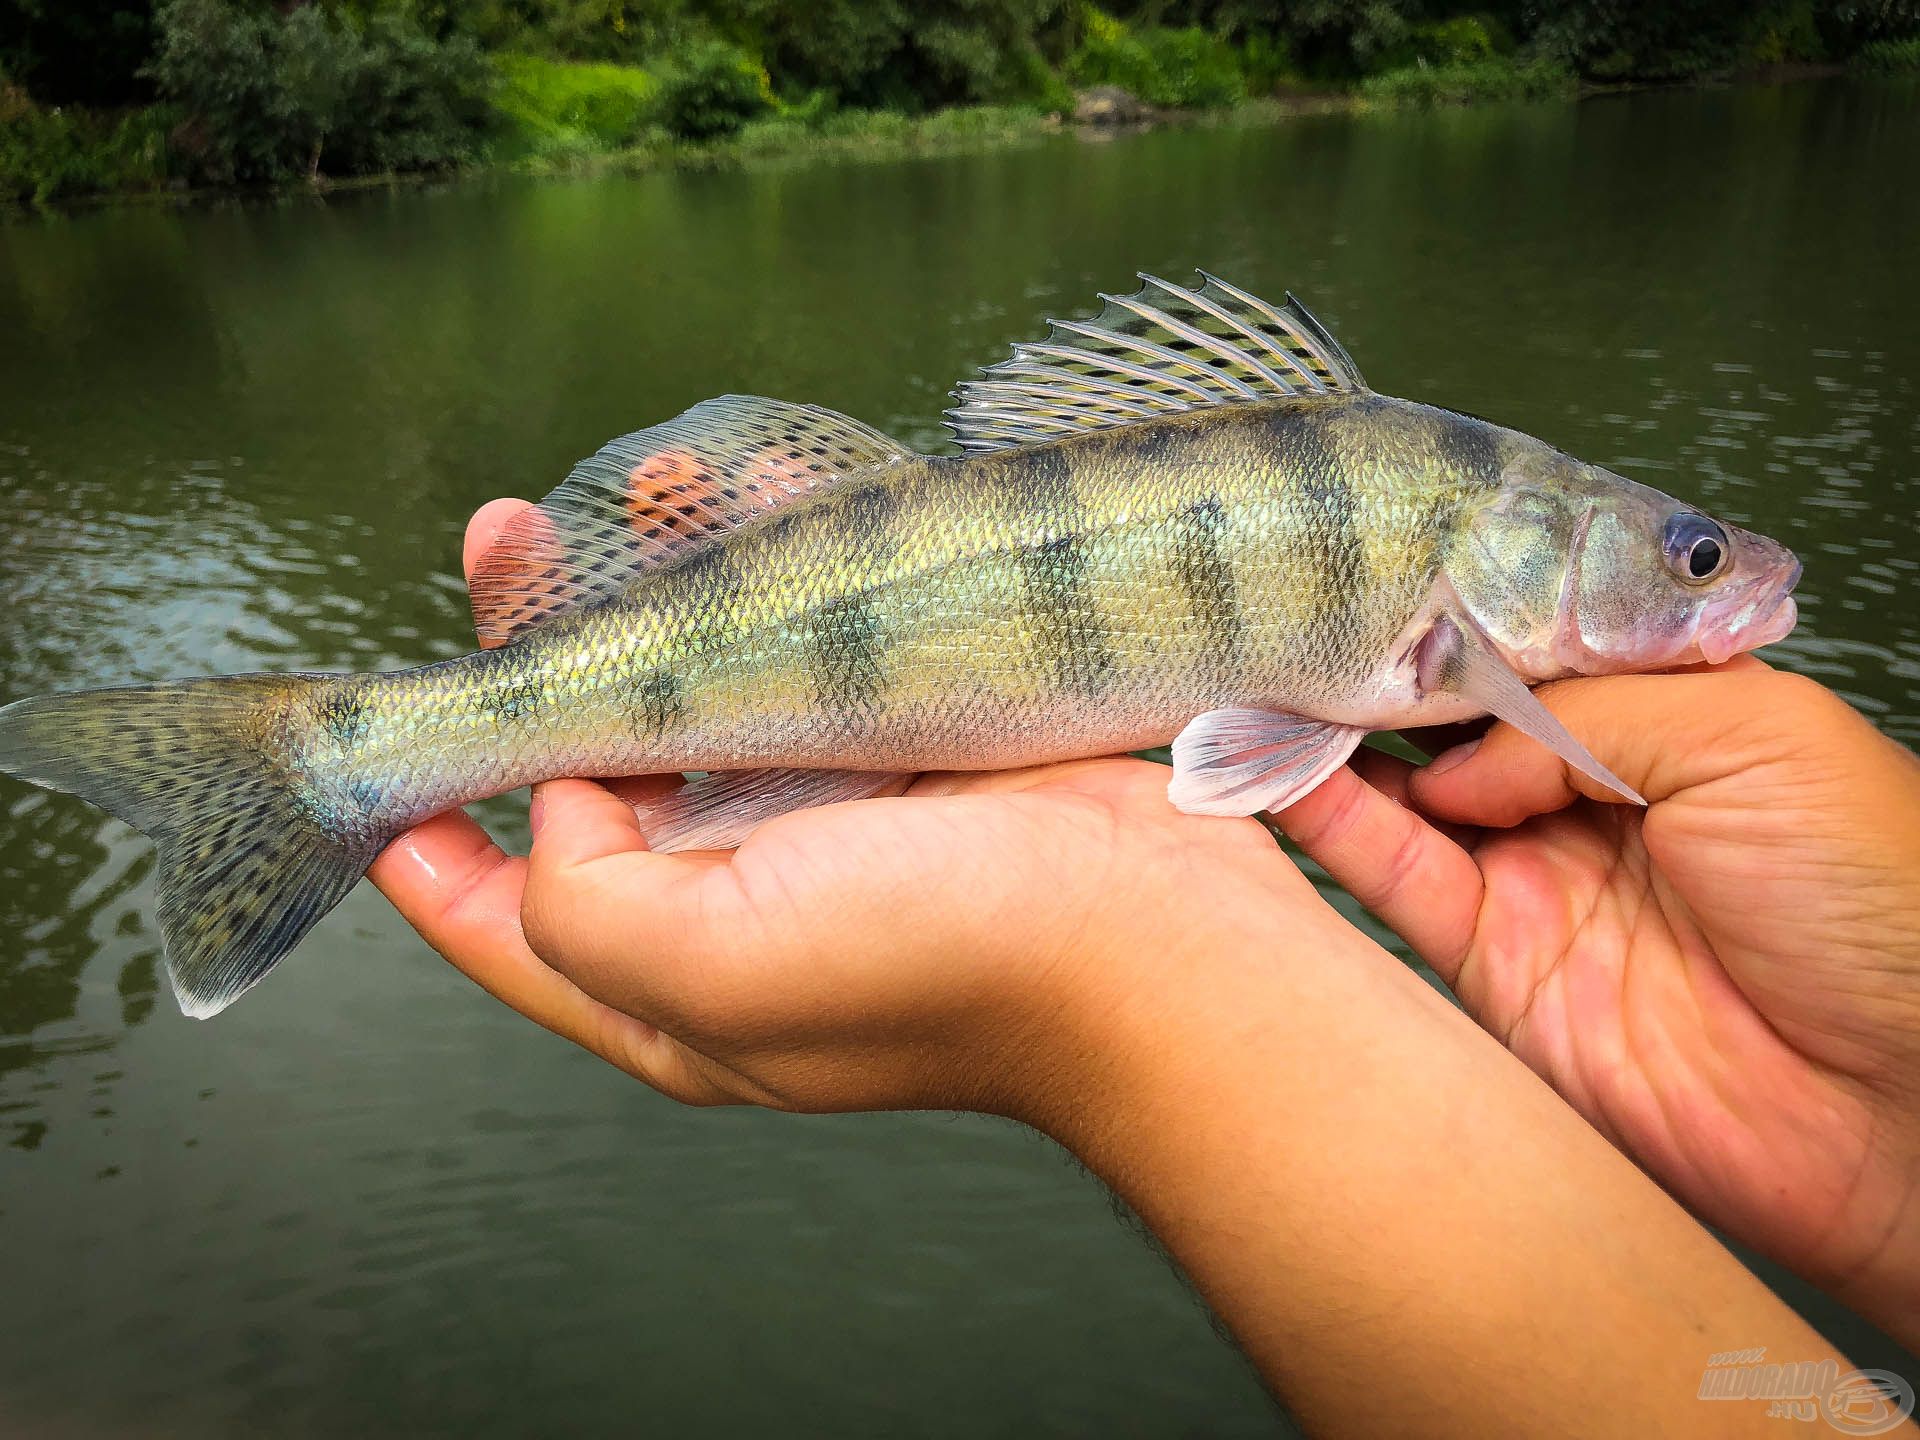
{"points": [[660, 494]]}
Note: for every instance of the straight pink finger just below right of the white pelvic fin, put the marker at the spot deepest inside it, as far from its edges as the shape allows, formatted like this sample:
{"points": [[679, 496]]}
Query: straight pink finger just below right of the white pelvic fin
{"points": [[1416, 880]]}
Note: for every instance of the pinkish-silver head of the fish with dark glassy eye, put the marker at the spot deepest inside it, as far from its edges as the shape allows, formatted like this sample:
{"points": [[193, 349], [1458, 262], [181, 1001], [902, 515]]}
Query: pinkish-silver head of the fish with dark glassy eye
{"points": [[1575, 571]]}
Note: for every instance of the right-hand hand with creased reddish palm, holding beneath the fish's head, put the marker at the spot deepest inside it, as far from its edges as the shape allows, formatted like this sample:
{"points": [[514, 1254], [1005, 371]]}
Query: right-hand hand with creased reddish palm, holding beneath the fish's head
{"points": [[1727, 984]]}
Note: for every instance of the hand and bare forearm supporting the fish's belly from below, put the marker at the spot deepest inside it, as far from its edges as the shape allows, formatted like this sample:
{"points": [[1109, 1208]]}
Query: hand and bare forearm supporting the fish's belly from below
{"points": [[1170, 999]]}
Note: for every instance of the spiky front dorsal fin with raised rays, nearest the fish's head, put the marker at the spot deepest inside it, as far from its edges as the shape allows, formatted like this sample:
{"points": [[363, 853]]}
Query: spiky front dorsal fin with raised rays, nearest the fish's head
{"points": [[1161, 350]]}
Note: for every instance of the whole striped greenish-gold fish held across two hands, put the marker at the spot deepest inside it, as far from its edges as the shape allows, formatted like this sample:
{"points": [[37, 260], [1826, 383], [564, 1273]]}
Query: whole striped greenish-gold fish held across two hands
{"points": [[1186, 519]]}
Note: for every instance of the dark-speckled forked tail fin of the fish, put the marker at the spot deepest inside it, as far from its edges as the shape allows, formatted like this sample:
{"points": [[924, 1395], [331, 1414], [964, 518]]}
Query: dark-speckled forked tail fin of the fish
{"points": [[247, 861]]}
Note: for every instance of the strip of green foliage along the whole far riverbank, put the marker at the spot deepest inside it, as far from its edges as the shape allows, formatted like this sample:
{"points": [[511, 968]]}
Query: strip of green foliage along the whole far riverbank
{"points": [[139, 93]]}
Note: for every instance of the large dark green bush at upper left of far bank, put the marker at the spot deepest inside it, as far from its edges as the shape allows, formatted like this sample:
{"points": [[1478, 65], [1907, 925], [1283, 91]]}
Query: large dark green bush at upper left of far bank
{"points": [[270, 99]]}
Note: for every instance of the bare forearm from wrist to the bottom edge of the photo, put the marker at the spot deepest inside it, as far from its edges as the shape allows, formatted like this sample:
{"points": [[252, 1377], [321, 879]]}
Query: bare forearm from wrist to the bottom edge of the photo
{"points": [[1383, 1205]]}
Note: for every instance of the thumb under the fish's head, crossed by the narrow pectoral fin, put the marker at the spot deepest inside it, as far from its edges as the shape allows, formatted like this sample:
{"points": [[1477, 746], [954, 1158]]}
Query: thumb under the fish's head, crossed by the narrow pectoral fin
{"points": [[1662, 734]]}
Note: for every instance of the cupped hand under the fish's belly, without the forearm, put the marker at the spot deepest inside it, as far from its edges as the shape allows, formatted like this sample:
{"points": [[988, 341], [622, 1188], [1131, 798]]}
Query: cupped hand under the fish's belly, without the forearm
{"points": [[926, 951]]}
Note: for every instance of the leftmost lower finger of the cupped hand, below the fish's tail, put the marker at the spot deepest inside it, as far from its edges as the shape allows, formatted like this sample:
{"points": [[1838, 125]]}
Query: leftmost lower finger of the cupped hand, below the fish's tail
{"points": [[464, 896]]}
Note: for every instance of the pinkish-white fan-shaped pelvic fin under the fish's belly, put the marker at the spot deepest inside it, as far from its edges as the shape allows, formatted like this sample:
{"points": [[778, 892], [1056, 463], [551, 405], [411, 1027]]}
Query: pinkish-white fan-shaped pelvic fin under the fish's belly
{"points": [[1249, 761]]}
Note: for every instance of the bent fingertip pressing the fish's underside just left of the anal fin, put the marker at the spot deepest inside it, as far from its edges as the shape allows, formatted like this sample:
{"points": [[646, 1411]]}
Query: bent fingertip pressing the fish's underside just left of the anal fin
{"points": [[627, 926]]}
